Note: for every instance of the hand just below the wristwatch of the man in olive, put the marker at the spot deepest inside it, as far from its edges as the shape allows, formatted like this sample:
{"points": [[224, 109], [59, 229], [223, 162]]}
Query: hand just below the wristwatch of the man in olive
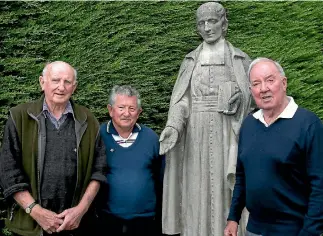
{"points": [[47, 219]]}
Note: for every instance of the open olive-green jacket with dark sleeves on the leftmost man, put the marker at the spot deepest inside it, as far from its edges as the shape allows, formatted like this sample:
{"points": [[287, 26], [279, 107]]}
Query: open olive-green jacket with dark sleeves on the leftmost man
{"points": [[23, 153]]}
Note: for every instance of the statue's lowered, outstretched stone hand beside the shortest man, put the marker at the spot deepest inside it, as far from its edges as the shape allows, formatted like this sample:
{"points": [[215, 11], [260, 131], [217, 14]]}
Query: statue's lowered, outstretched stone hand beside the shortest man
{"points": [[168, 139]]}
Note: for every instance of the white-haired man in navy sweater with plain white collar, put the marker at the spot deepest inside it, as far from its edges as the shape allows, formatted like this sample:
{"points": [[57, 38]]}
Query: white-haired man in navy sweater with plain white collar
{"points": [[279, 174]]}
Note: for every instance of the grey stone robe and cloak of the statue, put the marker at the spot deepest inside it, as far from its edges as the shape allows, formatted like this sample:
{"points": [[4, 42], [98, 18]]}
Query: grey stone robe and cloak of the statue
{"points": [[201, 126]]}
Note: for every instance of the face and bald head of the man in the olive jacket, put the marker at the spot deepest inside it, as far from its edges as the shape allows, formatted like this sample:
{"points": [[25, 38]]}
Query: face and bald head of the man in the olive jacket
{"points": [[58, 84]]}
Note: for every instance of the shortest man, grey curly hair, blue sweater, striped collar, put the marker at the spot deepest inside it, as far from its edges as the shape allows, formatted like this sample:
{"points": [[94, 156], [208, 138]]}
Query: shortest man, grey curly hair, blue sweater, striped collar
{"points": [[135, 169]]}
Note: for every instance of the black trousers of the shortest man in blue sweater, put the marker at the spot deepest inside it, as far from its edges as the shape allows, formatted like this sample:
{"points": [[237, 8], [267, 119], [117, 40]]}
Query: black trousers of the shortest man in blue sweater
{"points": [[110, 225]]}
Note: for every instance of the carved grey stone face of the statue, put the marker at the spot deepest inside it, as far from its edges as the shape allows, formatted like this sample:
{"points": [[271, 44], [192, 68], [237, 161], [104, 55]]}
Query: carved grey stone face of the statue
{"points": [[209, 25]]}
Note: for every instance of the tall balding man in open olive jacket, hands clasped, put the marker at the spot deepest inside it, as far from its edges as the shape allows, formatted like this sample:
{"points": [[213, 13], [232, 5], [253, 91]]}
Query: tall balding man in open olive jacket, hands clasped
{"points": [[52, 160]]}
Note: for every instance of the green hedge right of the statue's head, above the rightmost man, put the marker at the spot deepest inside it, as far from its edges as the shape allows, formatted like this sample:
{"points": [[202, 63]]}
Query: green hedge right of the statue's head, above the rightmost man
{"points": [[290, 32]]}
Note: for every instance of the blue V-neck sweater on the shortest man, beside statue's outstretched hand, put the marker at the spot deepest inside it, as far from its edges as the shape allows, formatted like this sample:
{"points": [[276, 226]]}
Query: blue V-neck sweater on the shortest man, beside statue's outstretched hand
{"points": [[134, 174]]}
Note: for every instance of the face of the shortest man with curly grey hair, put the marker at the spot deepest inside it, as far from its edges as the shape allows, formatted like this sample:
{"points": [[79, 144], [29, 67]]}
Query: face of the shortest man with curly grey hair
{"points": [[124, 112]]}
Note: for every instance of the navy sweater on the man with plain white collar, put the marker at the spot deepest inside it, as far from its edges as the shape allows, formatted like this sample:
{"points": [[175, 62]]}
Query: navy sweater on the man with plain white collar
{"points": [[279, 176]]}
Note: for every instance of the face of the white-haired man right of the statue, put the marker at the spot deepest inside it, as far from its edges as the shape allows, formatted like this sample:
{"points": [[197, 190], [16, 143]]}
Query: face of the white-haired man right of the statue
{"points": [[268, 86]]}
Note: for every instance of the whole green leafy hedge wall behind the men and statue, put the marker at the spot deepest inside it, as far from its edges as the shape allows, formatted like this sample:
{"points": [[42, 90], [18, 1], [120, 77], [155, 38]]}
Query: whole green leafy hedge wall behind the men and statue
{"points": [[143, 44]]}
